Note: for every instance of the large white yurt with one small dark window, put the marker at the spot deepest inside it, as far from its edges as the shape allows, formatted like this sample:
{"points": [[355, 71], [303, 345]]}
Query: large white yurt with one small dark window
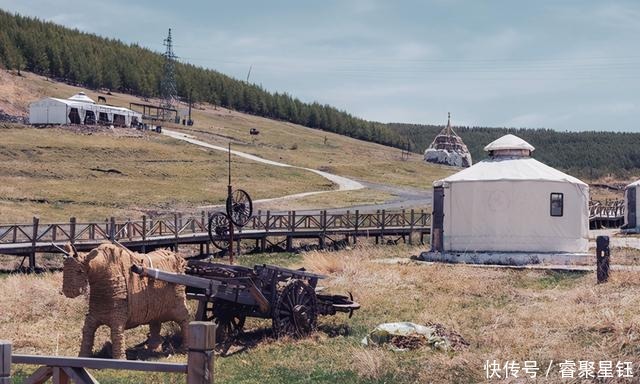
{"points": [[510, 203]]}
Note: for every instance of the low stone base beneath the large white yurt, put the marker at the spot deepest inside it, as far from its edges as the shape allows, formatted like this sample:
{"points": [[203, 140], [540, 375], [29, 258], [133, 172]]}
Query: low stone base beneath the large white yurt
{"points": [[509, 258]]}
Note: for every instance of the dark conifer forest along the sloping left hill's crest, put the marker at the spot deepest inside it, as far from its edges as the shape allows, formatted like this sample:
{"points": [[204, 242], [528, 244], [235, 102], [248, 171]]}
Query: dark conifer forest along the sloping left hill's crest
{"points": [[72, 56]]}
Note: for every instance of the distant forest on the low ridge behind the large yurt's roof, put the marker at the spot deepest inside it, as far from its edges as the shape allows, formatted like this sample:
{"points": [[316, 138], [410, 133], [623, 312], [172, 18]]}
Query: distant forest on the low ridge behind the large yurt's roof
{"points": [[584, 154]]}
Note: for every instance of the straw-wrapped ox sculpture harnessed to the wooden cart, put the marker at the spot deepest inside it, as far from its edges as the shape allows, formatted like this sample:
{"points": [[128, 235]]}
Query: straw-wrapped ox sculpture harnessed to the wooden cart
{"points": [[122, 300]]}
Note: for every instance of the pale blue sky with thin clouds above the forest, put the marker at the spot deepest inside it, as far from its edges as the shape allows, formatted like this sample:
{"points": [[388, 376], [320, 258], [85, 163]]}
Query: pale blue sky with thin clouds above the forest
{"points": [[564, 65]]}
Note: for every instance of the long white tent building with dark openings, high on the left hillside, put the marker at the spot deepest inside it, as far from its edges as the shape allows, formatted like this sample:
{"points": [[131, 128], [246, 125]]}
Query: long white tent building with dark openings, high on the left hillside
{"points": [[80, 109]]}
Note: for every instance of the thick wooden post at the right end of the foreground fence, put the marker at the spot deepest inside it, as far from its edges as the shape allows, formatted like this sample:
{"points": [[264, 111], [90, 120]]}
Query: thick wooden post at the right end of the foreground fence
{"points": [[201, 341]]}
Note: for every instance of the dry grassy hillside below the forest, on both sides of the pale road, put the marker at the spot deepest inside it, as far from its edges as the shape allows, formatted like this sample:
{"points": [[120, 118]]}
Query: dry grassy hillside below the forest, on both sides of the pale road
{"points": [[59, 172]]}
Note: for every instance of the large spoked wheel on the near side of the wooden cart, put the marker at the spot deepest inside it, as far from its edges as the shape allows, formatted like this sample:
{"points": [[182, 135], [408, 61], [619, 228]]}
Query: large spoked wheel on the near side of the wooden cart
{"points": [[296, 311]]}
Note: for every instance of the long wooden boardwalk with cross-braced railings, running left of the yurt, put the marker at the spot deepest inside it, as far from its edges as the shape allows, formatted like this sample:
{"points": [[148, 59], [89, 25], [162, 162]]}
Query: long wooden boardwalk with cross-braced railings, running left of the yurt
{"points": [[268, 230]]}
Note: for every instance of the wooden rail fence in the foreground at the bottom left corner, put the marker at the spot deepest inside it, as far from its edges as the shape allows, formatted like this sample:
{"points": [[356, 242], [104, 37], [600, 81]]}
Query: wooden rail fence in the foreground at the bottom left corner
{"points": [[198, 369]]}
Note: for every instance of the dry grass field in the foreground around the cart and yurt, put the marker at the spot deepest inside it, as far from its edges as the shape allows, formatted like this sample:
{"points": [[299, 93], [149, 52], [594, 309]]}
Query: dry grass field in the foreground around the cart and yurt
{"points": [[504, 315]]}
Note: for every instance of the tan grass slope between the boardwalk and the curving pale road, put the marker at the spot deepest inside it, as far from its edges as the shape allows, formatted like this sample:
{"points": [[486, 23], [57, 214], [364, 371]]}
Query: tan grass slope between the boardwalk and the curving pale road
{"points": [[56, 173]]}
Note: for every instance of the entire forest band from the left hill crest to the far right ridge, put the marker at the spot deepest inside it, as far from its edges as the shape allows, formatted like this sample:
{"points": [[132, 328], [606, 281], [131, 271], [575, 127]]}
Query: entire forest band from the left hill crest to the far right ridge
{"points": [[80, 58]]}
